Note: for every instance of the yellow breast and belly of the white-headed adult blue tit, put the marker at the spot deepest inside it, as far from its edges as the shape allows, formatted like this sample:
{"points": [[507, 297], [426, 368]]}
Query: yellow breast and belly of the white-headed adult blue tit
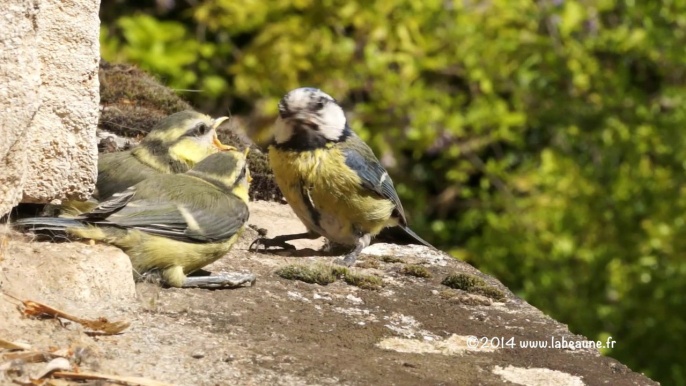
{"points": [[345, 208]]}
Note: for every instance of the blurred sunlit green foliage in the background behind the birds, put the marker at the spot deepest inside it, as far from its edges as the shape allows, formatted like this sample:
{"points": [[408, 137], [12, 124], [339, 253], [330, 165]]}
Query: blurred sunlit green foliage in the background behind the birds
{"points": [[542, 141]]}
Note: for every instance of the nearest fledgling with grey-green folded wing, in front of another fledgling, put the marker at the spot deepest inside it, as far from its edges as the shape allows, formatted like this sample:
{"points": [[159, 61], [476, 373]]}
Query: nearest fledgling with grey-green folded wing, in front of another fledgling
{"points": [[170, 224]]}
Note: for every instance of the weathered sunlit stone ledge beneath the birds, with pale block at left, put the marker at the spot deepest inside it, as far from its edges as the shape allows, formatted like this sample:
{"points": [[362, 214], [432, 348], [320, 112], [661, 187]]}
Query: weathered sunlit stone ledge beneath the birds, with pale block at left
{"points": [[412, 331]]}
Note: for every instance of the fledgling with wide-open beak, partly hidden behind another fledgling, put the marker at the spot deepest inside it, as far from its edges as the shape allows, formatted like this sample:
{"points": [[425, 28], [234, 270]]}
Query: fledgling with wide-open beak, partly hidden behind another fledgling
{"points": [[173, 146]]}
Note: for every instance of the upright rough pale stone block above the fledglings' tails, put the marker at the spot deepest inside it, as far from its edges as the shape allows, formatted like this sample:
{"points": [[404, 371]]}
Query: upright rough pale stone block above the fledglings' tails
{"points": [[49, 54]]}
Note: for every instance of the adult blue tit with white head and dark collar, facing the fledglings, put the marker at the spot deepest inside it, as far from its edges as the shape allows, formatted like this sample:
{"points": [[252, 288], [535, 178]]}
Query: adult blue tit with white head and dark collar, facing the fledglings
{"points": [[329, 176]]}
